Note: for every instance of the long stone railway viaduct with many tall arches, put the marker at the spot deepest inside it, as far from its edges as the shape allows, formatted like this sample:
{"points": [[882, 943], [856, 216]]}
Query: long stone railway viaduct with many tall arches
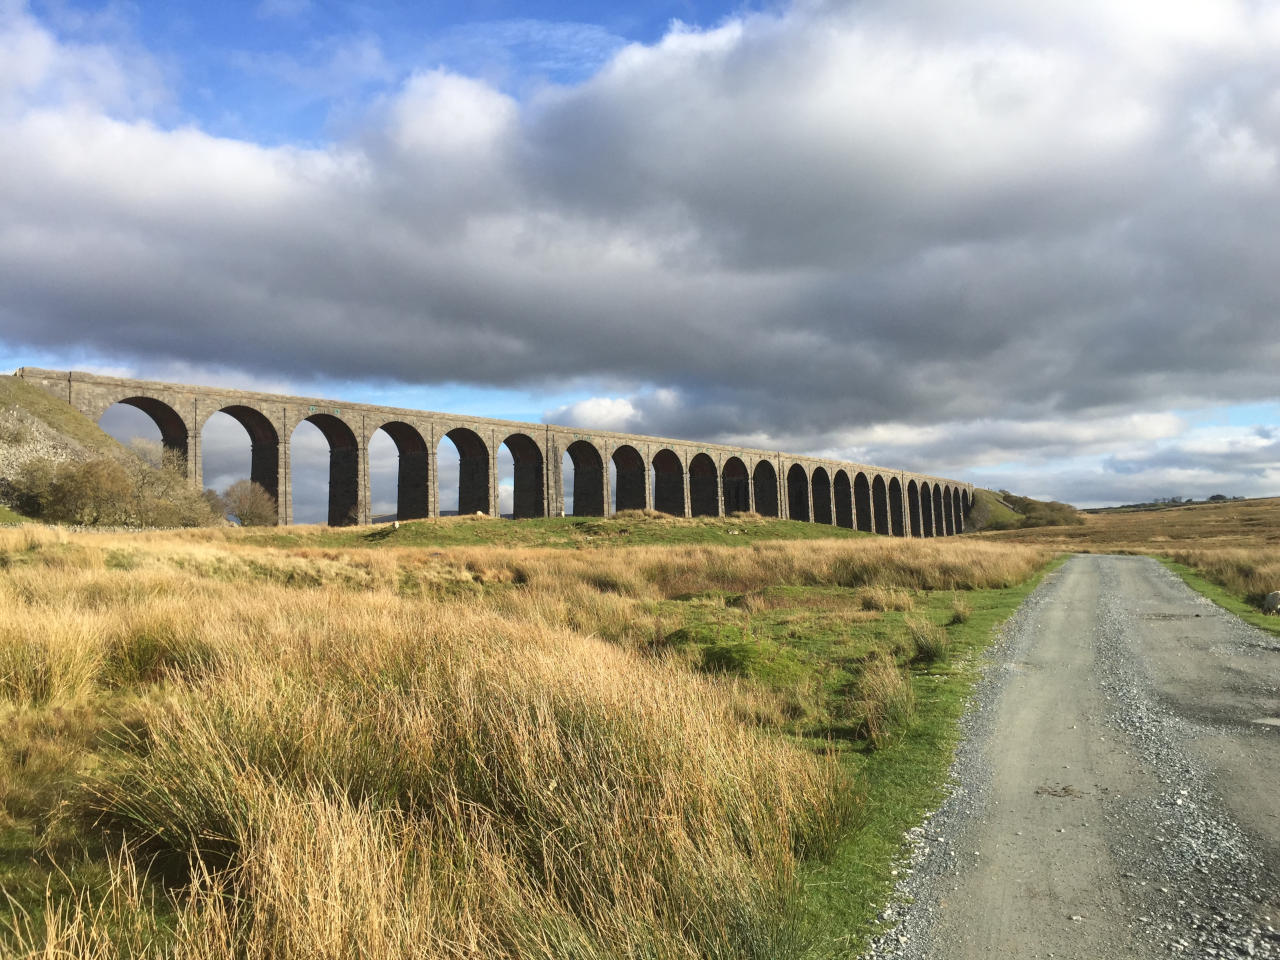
{"points": [[673, 477]]}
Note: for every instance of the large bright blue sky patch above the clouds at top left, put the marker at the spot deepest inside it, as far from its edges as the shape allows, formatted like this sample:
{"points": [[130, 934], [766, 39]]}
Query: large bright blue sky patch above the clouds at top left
{"points": [[298, 71]]}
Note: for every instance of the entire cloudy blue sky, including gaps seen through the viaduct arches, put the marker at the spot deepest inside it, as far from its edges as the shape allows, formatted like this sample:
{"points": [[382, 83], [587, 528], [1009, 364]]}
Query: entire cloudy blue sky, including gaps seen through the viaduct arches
{"points": [[1030, 246]]}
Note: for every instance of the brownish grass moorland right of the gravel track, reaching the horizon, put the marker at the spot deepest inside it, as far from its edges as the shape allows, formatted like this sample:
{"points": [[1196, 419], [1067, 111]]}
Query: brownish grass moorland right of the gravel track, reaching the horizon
{"points": [[1231, 552]]}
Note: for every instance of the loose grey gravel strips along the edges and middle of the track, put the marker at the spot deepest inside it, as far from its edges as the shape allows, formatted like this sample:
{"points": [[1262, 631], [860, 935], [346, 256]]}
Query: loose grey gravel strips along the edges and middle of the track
{"points": [[1199, 883]]}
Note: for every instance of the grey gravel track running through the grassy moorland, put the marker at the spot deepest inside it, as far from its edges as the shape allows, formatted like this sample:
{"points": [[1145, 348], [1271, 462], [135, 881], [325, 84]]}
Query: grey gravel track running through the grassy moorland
{"points": [[1117, 794]]}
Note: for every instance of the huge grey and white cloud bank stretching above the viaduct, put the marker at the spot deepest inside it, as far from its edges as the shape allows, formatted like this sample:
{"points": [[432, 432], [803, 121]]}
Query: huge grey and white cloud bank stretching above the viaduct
{"points": [[803, 225]]}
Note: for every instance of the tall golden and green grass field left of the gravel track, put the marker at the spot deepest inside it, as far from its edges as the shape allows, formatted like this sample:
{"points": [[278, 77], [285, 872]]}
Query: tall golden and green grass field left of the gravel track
{"points": [[225, 749]]}
